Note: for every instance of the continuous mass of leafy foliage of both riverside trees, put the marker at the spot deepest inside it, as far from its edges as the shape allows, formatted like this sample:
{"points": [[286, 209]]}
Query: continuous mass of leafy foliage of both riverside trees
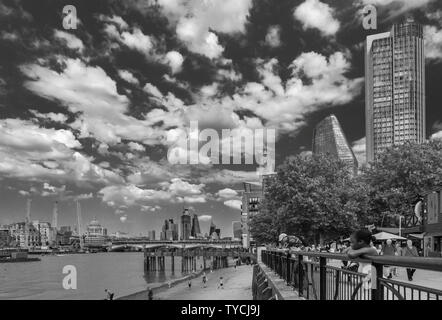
{"points": [[318, 199]]}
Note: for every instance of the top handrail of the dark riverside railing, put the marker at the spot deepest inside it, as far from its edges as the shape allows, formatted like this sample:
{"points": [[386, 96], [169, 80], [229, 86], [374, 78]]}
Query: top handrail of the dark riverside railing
{"points": [[433, 264]]}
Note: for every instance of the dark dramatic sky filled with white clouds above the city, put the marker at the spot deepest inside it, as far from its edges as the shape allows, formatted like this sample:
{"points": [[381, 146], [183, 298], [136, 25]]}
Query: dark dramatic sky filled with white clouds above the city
{"points": [[92, 113]]}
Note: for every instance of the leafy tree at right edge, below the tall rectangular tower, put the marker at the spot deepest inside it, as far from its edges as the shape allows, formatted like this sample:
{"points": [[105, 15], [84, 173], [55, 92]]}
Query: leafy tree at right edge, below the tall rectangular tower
{"points": [[400, 175]]}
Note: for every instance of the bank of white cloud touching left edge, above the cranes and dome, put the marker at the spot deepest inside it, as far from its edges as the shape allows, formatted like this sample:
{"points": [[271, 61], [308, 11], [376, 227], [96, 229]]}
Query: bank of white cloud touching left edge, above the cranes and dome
{"points": [[32, 152]]}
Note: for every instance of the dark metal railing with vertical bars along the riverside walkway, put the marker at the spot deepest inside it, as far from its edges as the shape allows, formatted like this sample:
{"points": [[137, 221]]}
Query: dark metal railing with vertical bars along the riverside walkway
{"points": [[320, 276]]}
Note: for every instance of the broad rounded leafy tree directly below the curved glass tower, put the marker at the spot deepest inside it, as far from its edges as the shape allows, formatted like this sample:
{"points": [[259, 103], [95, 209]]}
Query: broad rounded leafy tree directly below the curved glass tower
{"points": [[312, 197]]}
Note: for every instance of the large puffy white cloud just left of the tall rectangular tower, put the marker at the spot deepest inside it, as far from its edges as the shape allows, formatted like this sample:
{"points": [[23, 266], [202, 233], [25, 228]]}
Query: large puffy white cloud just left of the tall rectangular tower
{"points": [[317, 82]]}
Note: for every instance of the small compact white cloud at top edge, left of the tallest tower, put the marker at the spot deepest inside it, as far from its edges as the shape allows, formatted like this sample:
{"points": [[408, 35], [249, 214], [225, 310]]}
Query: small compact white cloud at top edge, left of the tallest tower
{"points": [[317, 15]]}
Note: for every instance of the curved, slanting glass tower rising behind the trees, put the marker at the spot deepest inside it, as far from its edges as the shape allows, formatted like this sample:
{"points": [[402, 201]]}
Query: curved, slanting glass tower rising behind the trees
{"points": [[328, 138]]}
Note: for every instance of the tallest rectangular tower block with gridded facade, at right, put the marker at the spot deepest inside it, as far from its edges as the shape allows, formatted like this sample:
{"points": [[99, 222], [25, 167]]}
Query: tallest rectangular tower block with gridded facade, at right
{"points": [[394, 87]]}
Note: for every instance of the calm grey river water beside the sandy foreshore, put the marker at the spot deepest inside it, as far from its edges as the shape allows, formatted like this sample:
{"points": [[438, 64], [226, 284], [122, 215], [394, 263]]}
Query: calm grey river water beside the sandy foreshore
{"points": [[121, 272]]}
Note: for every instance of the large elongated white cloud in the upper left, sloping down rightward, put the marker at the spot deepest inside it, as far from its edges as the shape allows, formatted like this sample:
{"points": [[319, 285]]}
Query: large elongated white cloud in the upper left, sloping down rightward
{"points": [[103, 111]]}
